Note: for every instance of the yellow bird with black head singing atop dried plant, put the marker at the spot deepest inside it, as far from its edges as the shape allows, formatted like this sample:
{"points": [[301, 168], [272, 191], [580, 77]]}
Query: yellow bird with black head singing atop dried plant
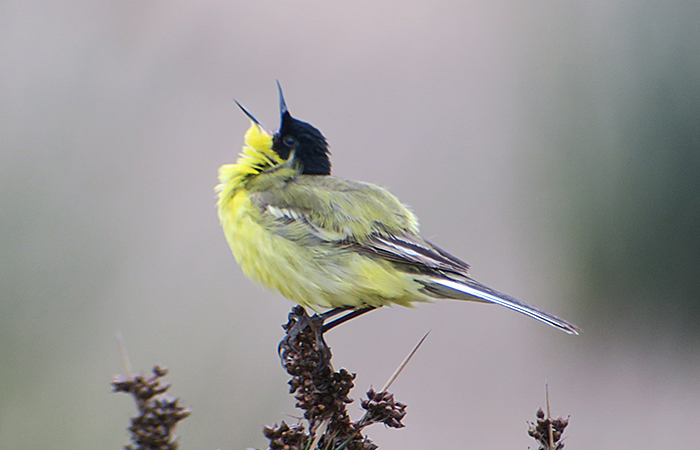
{"points": [[332, 244]]}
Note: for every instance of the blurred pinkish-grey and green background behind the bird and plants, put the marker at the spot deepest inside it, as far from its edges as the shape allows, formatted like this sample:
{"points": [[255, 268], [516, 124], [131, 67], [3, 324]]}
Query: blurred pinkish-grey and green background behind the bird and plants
{"points": [[554, 145]]}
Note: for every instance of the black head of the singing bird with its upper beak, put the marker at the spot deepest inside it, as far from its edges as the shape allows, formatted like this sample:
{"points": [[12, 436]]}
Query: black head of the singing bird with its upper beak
{"points": [[308, 147]]}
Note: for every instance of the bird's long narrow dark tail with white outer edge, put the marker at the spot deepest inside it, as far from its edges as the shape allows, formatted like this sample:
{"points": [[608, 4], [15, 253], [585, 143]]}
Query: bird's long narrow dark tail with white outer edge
{"points": [[468, 289]]}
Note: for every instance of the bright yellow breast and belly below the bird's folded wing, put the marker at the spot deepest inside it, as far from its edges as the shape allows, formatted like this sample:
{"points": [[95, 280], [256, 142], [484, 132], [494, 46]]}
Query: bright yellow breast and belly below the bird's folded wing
{"points": [[317, 276]]}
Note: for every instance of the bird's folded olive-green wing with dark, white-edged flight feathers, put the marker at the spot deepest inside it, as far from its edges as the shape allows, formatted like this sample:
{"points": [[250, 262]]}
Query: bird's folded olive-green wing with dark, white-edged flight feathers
{"points": [[354, 215]]}
